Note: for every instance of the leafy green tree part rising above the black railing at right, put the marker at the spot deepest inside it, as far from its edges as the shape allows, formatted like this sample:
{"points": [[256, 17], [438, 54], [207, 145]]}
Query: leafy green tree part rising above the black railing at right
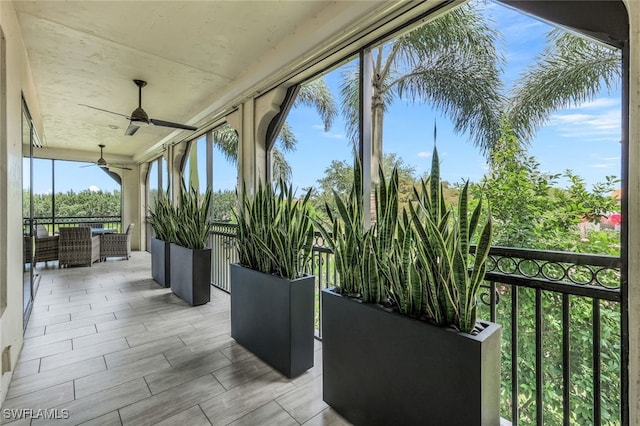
{"points": [[528, 207]]}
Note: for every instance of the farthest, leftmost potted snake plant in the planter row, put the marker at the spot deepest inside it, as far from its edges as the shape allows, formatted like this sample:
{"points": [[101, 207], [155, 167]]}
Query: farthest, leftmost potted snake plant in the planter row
{"points": [[162, 220]]}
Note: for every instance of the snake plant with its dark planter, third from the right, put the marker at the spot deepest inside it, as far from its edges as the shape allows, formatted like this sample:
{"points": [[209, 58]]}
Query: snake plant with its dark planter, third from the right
{"points": [[190, 258]]}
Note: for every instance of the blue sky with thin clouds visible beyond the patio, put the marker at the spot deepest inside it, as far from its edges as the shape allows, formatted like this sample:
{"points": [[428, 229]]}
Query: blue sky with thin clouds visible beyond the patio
{"points": [[584, 139]]}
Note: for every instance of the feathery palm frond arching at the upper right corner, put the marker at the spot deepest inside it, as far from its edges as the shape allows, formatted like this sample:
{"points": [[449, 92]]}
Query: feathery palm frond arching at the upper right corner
{"points": [[569, 71]]}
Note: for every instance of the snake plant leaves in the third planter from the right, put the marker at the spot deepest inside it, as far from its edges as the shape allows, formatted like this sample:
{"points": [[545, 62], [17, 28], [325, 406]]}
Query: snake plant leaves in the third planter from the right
{"points": [[193, 218]]}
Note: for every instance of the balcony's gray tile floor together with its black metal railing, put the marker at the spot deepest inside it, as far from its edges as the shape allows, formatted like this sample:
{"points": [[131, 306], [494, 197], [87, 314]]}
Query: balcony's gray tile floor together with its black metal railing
{"points": [[107, 344]]}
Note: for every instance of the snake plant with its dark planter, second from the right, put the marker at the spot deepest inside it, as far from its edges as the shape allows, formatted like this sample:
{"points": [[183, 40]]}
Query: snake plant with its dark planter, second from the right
{"points": [[272, 299]]}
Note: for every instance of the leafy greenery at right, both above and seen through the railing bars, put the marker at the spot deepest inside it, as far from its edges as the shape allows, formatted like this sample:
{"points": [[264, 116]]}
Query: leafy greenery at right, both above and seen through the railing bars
{"points": [[530, 210]]}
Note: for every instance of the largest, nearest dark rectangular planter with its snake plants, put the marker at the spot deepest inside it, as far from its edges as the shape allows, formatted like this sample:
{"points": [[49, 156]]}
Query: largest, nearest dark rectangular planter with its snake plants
{"points": [[401, 343]]}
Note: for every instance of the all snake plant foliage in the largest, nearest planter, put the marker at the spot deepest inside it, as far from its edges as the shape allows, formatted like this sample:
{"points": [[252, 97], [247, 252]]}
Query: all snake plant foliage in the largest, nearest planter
{"points": [[415, 258]]}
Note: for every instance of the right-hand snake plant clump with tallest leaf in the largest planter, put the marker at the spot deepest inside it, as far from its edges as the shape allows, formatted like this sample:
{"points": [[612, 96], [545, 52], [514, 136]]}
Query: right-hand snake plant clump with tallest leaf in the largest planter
{"points": [[451, 275]]}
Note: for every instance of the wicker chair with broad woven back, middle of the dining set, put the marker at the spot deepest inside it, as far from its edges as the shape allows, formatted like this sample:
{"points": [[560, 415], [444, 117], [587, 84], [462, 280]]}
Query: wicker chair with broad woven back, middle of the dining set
{"points": [[78, 247]]}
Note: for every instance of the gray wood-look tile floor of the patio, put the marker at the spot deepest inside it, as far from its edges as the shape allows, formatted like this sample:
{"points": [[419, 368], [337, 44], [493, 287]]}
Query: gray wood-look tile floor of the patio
{"points": [[109, 346]]}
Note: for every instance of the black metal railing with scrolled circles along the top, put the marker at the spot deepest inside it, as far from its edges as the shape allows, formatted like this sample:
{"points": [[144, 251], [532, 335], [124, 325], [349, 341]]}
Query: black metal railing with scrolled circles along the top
{"points": [[561, 319]]}
